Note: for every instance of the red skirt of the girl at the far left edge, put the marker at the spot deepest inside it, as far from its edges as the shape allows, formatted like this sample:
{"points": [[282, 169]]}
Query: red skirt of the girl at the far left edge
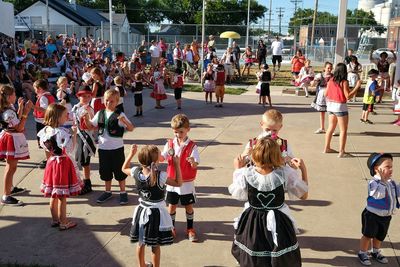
{"points": [[7, 146]]}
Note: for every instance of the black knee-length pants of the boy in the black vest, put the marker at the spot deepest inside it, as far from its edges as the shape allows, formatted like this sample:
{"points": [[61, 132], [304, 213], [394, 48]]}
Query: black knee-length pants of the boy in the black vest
{"points": [[110, 164]]}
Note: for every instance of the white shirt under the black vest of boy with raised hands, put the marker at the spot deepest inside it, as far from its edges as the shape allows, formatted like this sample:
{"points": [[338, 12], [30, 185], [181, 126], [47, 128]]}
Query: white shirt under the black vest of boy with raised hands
{"points": [[106, 142]]}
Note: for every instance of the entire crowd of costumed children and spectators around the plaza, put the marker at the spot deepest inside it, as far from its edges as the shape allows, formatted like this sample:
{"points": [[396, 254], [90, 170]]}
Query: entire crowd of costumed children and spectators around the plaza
{"points": [[70, 131]]}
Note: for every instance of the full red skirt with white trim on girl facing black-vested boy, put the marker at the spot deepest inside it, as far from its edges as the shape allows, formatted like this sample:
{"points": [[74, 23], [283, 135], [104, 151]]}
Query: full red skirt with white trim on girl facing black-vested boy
{"points": [[60, 179]]}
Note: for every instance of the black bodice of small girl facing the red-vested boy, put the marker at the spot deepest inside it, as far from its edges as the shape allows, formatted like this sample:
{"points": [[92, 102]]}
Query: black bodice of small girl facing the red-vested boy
{"points": [[149, 193]]}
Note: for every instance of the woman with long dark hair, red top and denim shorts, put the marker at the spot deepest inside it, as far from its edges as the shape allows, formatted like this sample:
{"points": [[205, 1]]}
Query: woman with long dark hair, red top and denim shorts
{"points": [[337, 93]]}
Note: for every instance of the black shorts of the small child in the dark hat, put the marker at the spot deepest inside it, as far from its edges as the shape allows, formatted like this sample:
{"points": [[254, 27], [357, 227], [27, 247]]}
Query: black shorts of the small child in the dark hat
{"points": [[374, 226]]}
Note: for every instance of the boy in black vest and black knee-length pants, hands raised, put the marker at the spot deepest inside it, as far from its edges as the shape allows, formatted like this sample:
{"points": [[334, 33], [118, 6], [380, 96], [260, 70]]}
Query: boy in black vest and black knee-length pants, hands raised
{"points": [[111, 126]]}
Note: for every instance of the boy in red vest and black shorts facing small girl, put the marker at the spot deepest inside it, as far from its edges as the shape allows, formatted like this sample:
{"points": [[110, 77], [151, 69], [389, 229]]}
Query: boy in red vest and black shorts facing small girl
{"points": [[187, 150]]}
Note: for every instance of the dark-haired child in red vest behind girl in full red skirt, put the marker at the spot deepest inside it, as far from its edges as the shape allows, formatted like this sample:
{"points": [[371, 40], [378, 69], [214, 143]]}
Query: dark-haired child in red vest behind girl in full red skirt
{"points": [[43, 100]]}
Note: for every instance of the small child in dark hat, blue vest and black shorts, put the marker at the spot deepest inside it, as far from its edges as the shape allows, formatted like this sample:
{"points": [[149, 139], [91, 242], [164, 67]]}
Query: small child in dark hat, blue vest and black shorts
{"points": [[382, 200]]}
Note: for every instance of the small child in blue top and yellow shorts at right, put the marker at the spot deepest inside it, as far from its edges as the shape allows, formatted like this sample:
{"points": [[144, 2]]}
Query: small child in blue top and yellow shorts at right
{"points": [[371, 90]]}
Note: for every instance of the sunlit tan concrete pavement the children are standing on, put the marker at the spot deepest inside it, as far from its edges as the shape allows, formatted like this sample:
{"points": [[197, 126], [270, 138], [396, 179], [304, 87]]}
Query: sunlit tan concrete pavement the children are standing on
{"points": [[330, 220]]}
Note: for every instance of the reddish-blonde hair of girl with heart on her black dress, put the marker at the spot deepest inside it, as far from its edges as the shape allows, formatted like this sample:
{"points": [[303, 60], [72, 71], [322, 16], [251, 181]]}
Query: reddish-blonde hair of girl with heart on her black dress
{"points": [[267, 154]]}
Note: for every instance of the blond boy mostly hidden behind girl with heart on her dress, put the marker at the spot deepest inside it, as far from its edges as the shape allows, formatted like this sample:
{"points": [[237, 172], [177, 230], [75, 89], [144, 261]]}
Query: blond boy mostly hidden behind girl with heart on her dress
{"points": [[271, 124]]}
